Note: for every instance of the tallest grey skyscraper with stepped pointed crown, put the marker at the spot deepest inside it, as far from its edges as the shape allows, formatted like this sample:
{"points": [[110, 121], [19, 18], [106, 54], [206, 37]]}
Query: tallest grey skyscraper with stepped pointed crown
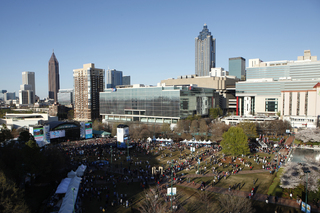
{"points": [[205, 52]]}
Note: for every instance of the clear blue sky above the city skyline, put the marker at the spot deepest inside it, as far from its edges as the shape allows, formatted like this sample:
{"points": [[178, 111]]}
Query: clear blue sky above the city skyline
{"points": [[148, 40]]}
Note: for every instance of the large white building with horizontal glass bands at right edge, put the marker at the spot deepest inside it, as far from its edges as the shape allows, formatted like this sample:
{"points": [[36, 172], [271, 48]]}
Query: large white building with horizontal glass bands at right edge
{"points": [[261, 93]]}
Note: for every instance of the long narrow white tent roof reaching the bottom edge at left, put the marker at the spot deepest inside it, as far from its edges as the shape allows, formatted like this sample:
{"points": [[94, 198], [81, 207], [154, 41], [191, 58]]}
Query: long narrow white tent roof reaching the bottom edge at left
{"points": [[70, 198]]}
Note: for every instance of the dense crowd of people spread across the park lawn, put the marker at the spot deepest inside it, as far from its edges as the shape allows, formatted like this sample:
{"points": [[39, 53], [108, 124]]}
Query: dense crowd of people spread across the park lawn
{"points": [[135, 170]]}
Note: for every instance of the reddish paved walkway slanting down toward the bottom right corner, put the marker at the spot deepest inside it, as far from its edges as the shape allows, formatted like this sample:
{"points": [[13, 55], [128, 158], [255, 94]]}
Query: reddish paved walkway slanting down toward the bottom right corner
{"points": [[259, 197]]}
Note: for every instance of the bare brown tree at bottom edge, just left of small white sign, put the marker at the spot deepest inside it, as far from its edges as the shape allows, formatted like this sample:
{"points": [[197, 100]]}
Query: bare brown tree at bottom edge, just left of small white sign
{"points": [[152, 202]]}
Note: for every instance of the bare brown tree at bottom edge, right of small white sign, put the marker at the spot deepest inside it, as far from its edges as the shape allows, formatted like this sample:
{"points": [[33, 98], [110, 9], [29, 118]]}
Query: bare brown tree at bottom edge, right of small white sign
{"points": [[231, 203]]}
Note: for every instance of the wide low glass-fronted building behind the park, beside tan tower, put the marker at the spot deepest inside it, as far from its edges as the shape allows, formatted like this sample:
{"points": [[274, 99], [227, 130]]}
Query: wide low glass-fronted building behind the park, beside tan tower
{"points": [[156, 104]]}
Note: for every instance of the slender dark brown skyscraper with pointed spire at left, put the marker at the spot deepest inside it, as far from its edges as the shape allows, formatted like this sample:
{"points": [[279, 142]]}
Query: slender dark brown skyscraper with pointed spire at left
{"points": [[53, 77]]}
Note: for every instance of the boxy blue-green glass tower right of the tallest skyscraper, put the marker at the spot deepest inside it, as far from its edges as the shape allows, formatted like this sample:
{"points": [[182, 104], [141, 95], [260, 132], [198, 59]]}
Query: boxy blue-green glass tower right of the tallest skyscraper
{"points": [[237, 67]]}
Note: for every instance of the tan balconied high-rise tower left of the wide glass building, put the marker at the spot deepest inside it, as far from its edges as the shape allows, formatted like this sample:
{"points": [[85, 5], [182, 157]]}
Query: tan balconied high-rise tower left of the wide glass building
{"points": [[88, 82]]}
